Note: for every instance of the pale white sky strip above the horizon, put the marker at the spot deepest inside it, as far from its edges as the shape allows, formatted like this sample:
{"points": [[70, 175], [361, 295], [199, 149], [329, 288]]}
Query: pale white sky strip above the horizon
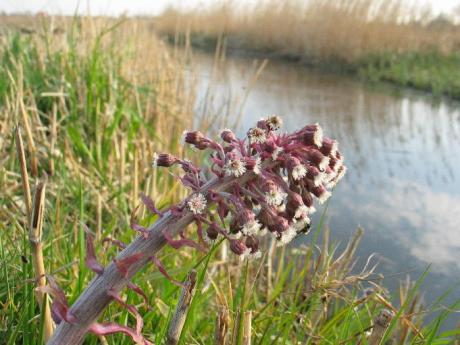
{"points": [[144, 7]]}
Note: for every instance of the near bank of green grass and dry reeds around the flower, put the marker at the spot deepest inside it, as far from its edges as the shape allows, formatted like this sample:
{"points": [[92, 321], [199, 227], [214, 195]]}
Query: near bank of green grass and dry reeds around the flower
{"points": [[95, 100]]}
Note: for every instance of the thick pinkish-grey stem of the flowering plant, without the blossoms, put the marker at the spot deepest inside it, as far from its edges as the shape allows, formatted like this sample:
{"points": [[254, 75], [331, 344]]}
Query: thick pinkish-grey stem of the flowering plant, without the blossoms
{"points": [[96, 298]]}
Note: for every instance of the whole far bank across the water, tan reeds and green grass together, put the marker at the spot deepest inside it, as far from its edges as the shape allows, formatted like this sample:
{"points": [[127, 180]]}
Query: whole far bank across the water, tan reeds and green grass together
{"points": [[377, 41]]}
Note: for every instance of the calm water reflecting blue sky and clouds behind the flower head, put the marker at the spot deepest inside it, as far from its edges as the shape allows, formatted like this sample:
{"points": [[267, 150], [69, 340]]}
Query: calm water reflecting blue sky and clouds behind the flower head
{"points": [[403, 157]]}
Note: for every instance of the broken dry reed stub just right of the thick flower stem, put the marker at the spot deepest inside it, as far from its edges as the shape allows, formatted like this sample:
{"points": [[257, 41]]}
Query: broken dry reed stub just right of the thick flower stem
{"points": [[178, 320]]}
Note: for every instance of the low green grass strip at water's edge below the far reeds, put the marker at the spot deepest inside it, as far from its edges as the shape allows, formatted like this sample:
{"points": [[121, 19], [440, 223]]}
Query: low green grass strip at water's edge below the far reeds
{"points": [[429, 71]]}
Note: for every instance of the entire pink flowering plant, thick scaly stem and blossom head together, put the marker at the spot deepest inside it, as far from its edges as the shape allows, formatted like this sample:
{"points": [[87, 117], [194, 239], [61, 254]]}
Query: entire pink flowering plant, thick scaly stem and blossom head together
{"points": [[265, 183]]}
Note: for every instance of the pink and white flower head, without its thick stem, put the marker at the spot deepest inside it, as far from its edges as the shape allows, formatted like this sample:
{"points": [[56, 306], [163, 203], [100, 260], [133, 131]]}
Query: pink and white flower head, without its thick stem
{"points": [[275, 180]]}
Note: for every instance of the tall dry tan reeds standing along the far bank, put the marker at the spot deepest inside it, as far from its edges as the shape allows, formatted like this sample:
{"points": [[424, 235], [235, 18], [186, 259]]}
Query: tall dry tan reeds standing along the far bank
{"points": [[321, 29]]}
